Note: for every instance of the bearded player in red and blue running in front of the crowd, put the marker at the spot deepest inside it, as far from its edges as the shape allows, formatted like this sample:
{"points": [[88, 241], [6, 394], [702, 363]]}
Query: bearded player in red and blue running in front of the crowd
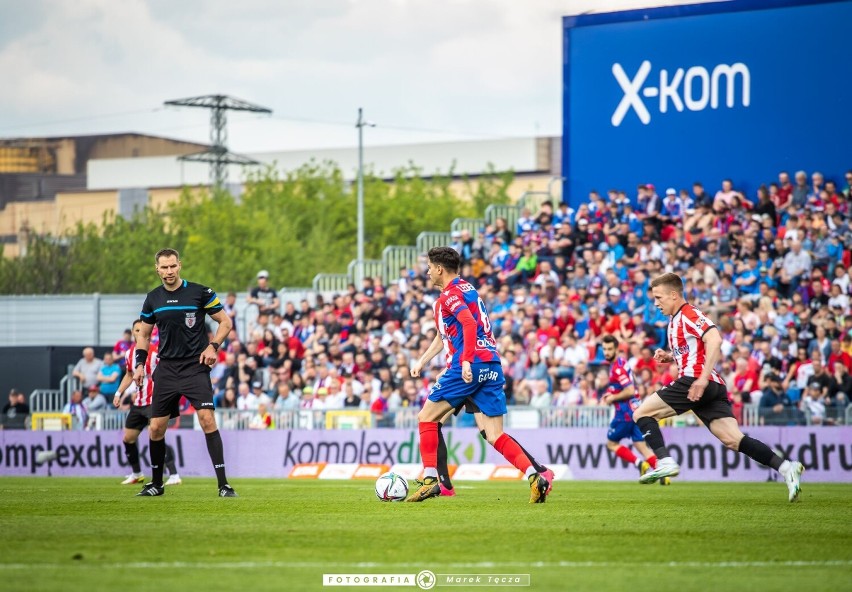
{"points": [[621, 393]]}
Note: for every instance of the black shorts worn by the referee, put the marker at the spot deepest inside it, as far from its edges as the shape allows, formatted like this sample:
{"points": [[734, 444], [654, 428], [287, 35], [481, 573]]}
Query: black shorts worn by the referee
{"points": [[186, 377]]}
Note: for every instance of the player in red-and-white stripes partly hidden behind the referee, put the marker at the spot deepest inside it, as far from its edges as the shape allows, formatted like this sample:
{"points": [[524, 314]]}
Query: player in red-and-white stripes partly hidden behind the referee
{"points": [[140, 413]]}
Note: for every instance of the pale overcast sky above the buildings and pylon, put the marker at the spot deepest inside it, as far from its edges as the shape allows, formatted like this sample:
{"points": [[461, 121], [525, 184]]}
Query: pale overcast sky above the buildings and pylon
{"points": [[442, 70]]}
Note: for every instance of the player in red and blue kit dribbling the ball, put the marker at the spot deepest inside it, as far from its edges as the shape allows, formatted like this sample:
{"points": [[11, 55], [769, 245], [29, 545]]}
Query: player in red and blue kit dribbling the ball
{"points": [[474, 371]]}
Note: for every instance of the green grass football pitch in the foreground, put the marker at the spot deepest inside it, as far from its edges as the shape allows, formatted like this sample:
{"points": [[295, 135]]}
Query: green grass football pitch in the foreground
{"points": [[93, 534]]}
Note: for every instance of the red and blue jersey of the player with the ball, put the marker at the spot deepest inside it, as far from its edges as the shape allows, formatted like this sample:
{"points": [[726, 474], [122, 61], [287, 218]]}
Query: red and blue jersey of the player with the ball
{"points": [[460, 306]]}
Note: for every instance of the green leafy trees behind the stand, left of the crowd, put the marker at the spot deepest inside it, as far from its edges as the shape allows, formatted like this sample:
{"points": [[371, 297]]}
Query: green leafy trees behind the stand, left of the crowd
{"points": [[296, 226]]}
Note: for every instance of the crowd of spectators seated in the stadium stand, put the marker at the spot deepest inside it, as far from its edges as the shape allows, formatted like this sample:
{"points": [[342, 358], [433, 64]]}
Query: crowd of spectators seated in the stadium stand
{"points": [[775, 272]]}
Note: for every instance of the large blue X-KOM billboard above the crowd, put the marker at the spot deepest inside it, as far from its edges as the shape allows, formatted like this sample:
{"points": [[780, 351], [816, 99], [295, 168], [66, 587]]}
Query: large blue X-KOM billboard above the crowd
{"points": [[739, 90]]}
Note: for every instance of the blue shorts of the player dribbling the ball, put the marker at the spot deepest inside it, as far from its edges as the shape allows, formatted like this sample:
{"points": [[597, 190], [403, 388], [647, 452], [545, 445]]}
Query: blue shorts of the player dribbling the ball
{"points": [[486, 389]]}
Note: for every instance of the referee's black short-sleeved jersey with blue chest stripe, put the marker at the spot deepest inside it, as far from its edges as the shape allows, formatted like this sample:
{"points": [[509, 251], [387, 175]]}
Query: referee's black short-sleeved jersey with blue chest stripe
{"points": [[180, 315]]}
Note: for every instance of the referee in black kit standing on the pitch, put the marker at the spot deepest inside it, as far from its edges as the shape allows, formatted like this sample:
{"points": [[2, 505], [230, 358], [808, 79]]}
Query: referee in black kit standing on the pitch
{"points": [[178, 309]]}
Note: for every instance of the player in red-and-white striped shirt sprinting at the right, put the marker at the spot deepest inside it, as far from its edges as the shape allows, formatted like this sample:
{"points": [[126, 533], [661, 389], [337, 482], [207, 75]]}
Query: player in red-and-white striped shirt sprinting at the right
{"points": [[696, 345]]}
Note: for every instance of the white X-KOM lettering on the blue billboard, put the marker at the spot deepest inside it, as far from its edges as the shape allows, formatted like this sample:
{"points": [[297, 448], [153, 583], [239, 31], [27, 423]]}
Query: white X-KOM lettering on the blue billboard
{"points": [[694, 88]]}
